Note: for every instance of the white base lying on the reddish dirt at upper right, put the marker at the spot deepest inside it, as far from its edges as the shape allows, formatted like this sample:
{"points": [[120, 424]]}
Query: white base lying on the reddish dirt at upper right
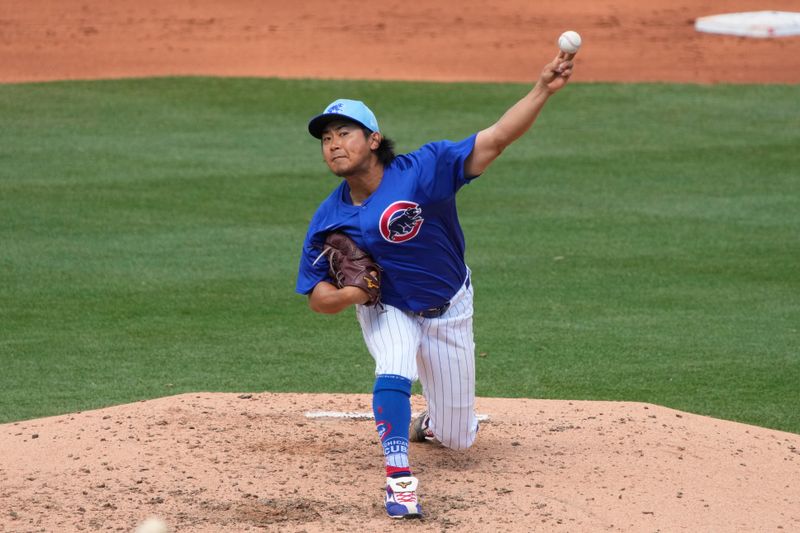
{"points": [[759, 24]]}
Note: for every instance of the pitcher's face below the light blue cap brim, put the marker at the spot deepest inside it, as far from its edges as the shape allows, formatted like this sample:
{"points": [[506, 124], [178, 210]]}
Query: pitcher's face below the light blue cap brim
{"points": [[346, 149]]}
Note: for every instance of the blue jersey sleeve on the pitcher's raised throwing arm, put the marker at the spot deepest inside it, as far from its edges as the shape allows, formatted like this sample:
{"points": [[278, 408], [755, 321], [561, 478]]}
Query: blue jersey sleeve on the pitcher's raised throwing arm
{"points": [[440, 167]]}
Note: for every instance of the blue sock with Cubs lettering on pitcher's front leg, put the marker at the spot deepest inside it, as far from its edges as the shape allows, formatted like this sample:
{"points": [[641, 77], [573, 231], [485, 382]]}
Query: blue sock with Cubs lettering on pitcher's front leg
{"points": [[391, 404]]}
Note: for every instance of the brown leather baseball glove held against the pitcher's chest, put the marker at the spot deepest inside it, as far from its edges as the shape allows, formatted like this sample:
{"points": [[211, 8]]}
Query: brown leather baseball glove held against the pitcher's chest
{"points": [[349, 265]]}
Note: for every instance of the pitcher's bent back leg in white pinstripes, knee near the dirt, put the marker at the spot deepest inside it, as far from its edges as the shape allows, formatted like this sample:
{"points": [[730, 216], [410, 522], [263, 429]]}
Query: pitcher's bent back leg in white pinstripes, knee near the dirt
{"points": [[446, 364]]}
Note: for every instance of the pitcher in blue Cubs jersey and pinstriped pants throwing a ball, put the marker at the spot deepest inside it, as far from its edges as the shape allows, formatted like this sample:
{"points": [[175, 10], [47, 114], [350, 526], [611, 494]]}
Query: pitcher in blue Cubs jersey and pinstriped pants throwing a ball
{"points": [[388, 241]]}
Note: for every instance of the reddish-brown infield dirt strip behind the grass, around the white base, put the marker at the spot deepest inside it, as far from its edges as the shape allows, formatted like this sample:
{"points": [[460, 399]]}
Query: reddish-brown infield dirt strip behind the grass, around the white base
{"points": [[470, 40]]}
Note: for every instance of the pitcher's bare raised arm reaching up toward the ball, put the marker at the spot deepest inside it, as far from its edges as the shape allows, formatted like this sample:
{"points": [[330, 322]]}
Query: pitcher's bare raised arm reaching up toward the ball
{"points": [[491, 142]]}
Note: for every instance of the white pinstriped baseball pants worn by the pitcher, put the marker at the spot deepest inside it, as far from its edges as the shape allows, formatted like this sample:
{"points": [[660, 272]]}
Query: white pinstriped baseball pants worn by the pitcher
{"points": [[440, 352]]}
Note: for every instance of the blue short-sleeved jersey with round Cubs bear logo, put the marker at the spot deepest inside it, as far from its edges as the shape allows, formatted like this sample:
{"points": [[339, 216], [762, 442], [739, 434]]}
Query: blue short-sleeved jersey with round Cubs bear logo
{"points": [[409, 226]]}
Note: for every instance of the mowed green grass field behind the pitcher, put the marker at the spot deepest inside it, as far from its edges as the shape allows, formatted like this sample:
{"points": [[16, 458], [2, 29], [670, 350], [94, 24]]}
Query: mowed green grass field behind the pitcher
{"points": [[641, 243]]}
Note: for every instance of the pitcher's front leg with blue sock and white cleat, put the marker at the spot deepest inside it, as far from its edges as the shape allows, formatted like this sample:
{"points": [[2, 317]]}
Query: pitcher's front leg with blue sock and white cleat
{"points": [[392, 338]]}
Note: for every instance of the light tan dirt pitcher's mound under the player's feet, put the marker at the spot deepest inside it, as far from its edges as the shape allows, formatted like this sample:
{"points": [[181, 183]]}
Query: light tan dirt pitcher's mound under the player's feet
{"points": [[227, 462]]}
